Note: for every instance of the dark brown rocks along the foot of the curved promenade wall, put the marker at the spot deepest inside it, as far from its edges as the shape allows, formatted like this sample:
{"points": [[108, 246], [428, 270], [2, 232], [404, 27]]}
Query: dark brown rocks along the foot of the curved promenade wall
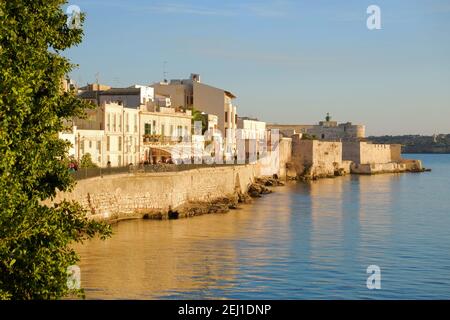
{"points": [[261, 186]]}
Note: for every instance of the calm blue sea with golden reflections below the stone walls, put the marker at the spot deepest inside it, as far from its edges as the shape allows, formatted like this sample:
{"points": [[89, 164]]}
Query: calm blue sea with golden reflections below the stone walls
{"points": [[305, 241]]}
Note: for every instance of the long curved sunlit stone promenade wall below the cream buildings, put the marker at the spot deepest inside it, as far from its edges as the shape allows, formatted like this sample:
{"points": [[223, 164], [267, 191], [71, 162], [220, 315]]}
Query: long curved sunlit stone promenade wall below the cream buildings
{"points": [[127, 194]]}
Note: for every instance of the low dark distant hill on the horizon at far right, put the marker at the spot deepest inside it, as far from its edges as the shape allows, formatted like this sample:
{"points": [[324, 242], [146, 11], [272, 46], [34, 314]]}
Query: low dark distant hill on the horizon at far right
{"points": [[418, 144]]}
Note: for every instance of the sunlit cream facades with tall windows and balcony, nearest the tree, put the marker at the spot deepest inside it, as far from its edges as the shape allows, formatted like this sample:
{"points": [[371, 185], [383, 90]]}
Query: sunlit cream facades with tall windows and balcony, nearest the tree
{"points": [[115, 135]]}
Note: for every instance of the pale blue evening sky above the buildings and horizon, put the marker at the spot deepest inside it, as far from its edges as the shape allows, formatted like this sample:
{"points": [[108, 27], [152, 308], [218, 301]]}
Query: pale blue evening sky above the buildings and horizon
{"points": [[286, 61]]}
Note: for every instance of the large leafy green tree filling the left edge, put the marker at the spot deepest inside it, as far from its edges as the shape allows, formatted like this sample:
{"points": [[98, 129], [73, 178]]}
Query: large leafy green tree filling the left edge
{"points": [[36, 240]]}
